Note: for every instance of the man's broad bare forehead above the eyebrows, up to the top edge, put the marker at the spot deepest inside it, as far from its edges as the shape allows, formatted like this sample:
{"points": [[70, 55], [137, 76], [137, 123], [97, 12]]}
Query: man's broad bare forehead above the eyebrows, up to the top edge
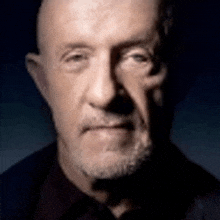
{"points": [[59, 19]]}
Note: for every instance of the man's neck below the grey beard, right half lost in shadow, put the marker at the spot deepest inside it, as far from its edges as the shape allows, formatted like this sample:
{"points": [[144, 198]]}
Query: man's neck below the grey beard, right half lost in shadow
{"points": [[118, 195]]}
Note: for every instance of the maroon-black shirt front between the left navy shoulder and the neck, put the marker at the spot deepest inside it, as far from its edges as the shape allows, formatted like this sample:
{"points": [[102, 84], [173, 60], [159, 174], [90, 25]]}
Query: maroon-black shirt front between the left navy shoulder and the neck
{"points": [[60, 199]]}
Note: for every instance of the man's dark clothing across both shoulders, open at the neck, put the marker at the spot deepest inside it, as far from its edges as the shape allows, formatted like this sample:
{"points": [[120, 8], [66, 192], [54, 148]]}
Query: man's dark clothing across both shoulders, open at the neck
{"points": [[171, 188]]}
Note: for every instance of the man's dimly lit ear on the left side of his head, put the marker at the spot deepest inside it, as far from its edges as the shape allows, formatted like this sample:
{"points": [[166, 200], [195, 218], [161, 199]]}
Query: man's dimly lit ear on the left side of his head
{"points": [[36, 70]]}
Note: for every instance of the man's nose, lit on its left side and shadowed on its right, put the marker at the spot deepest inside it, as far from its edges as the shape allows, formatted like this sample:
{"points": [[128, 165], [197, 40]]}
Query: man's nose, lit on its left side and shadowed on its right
{"points": [[103, 85]]}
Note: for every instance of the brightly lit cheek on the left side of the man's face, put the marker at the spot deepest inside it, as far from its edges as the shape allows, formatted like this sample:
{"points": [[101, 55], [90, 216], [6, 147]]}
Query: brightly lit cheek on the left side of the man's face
{"points": [[65, 96]]}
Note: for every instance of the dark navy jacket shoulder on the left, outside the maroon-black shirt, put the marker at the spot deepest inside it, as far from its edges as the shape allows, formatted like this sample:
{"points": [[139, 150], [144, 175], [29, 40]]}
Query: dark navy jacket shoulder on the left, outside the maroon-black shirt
{"points": [[20, 184]]}
